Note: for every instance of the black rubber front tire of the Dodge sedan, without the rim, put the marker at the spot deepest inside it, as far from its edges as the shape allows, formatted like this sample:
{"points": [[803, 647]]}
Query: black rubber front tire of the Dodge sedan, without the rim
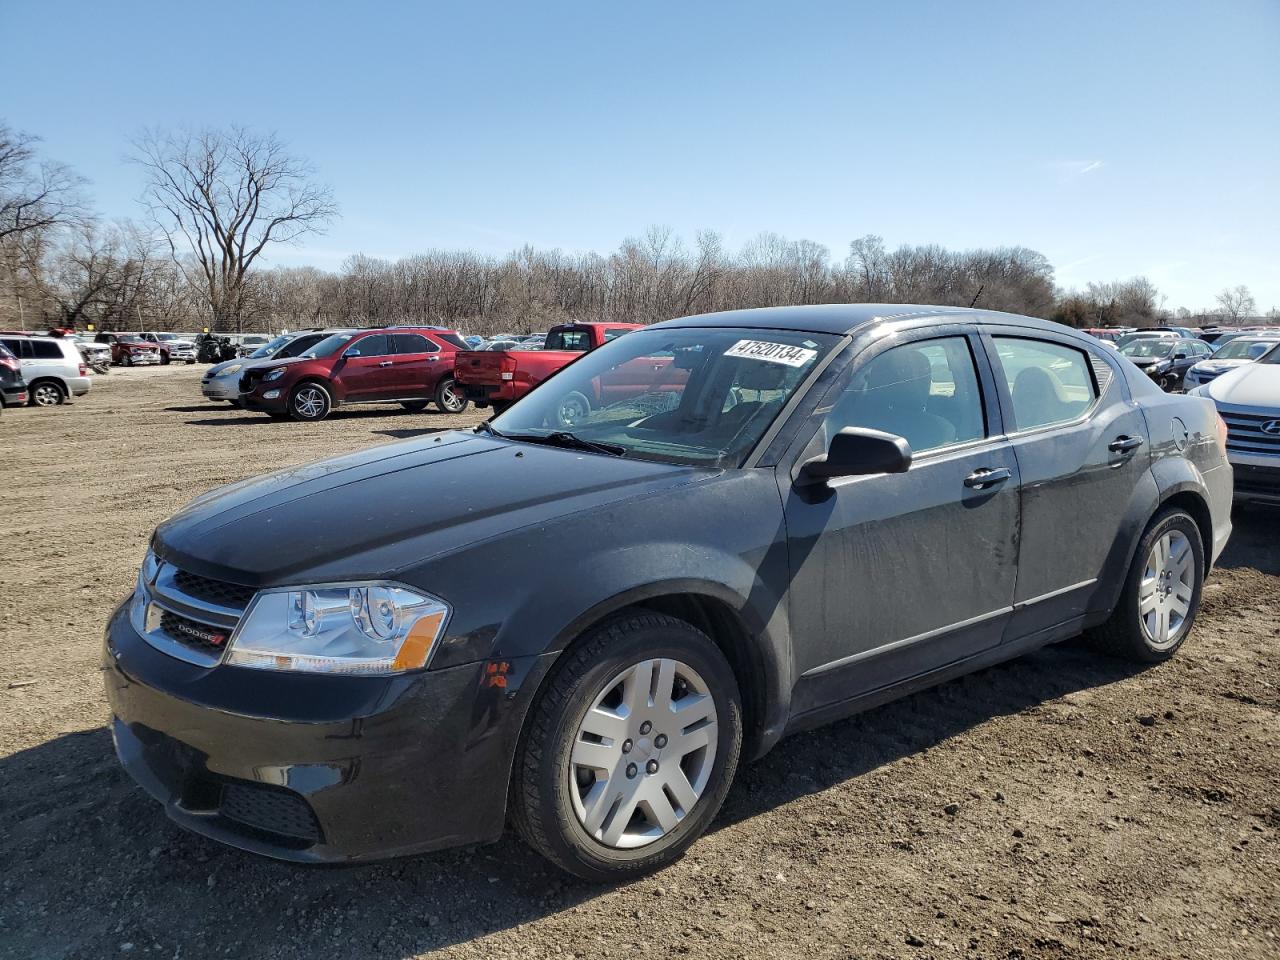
{"points": [[542, 797]]}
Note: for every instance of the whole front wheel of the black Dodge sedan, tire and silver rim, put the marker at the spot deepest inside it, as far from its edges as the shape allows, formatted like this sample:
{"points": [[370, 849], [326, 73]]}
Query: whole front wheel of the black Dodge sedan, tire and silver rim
{"points": [[630, 749]]}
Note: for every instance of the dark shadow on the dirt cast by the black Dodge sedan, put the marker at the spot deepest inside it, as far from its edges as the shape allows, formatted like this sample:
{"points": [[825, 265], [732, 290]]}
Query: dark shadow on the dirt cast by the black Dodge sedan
{"points": [[93, 863]]}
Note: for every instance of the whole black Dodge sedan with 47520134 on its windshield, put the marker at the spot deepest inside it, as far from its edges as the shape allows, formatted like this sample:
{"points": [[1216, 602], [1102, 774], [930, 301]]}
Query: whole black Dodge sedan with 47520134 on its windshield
{"points": [[815, 511]]}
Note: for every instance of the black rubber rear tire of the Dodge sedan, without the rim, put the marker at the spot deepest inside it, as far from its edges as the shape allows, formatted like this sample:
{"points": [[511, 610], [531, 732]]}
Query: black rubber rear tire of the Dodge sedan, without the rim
{"points": [[1126, 634]]}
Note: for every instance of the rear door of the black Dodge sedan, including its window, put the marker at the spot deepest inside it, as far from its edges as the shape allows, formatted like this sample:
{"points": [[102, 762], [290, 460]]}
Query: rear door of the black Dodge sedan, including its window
{"points": [[1081, 445]]}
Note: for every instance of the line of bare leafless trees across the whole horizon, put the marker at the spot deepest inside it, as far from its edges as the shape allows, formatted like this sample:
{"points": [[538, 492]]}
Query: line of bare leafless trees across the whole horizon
{"points": [[217, 202]]}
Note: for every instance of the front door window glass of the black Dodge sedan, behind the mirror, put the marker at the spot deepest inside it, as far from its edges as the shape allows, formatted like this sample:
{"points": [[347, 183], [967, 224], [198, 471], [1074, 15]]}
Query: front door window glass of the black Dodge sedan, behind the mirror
{"points": [[926, 394]]}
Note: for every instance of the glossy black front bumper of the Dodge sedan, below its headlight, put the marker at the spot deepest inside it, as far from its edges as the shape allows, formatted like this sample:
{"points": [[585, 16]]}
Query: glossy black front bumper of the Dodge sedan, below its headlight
{"points": [[314, 769]]}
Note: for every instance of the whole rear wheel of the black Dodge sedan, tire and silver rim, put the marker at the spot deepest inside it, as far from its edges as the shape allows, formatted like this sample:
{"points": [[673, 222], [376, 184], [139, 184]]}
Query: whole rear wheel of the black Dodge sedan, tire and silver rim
{"points": [[1162, 595]]}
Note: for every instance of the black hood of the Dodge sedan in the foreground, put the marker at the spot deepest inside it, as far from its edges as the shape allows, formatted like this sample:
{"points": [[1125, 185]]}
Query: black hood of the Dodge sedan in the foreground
{"points": [[371, 514]]}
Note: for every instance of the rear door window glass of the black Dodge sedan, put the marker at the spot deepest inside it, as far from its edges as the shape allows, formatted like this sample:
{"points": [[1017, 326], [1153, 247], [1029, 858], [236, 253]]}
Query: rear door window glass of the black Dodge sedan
{"points": [[1050, 383]]}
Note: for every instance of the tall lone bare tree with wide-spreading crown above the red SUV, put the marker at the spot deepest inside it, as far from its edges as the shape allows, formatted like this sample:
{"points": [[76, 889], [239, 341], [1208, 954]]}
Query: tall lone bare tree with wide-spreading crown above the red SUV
{"points": [[225, 196]]}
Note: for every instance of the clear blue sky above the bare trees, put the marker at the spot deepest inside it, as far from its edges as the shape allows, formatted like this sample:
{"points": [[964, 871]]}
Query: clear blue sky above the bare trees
{"points": [[1118, 139]]}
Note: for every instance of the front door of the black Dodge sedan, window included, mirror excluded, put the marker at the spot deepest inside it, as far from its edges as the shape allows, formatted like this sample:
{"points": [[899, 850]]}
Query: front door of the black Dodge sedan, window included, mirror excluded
{"points": [[895, 575]]}
